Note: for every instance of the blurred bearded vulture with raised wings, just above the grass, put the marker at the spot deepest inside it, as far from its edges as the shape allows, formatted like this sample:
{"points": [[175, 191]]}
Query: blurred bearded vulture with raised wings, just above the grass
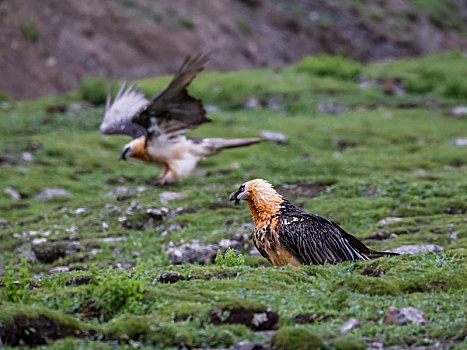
{"points": [[157, 125]]}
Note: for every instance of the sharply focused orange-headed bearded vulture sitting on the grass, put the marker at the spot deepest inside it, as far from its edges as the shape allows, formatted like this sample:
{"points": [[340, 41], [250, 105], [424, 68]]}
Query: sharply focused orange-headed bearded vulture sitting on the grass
{"points": [[286, 235]]}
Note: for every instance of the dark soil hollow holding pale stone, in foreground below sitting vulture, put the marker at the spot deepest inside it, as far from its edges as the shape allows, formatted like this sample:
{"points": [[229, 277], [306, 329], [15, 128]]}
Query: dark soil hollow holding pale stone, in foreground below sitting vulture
{"points": [[258, 321]]}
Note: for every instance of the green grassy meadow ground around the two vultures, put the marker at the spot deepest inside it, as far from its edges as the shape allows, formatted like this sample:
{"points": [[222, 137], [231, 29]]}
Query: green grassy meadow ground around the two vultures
{"points": [[386, 156]]}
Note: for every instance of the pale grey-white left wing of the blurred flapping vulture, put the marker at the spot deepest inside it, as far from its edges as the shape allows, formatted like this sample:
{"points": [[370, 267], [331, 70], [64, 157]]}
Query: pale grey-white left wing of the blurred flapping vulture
{"points": [[119, 113]]}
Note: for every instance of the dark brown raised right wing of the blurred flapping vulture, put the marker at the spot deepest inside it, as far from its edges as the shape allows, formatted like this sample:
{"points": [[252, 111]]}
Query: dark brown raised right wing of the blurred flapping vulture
{"points": [[173, 110]]}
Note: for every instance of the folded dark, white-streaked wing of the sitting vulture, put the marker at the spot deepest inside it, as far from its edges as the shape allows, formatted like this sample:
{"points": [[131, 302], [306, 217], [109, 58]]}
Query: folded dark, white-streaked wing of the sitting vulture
{"points": [[316, 240]]}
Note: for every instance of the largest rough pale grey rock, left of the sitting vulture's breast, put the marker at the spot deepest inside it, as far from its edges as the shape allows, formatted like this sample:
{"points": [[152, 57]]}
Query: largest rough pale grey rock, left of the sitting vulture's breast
{"points": [[194, 252]]}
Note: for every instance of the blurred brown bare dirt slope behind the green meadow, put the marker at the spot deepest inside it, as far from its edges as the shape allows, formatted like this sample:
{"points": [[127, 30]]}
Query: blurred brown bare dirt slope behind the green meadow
{"points": [[47, 46]]}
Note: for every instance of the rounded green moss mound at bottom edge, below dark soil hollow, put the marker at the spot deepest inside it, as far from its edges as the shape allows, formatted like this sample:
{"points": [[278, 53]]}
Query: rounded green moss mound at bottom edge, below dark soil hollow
{"points": [[290, 338]]}
